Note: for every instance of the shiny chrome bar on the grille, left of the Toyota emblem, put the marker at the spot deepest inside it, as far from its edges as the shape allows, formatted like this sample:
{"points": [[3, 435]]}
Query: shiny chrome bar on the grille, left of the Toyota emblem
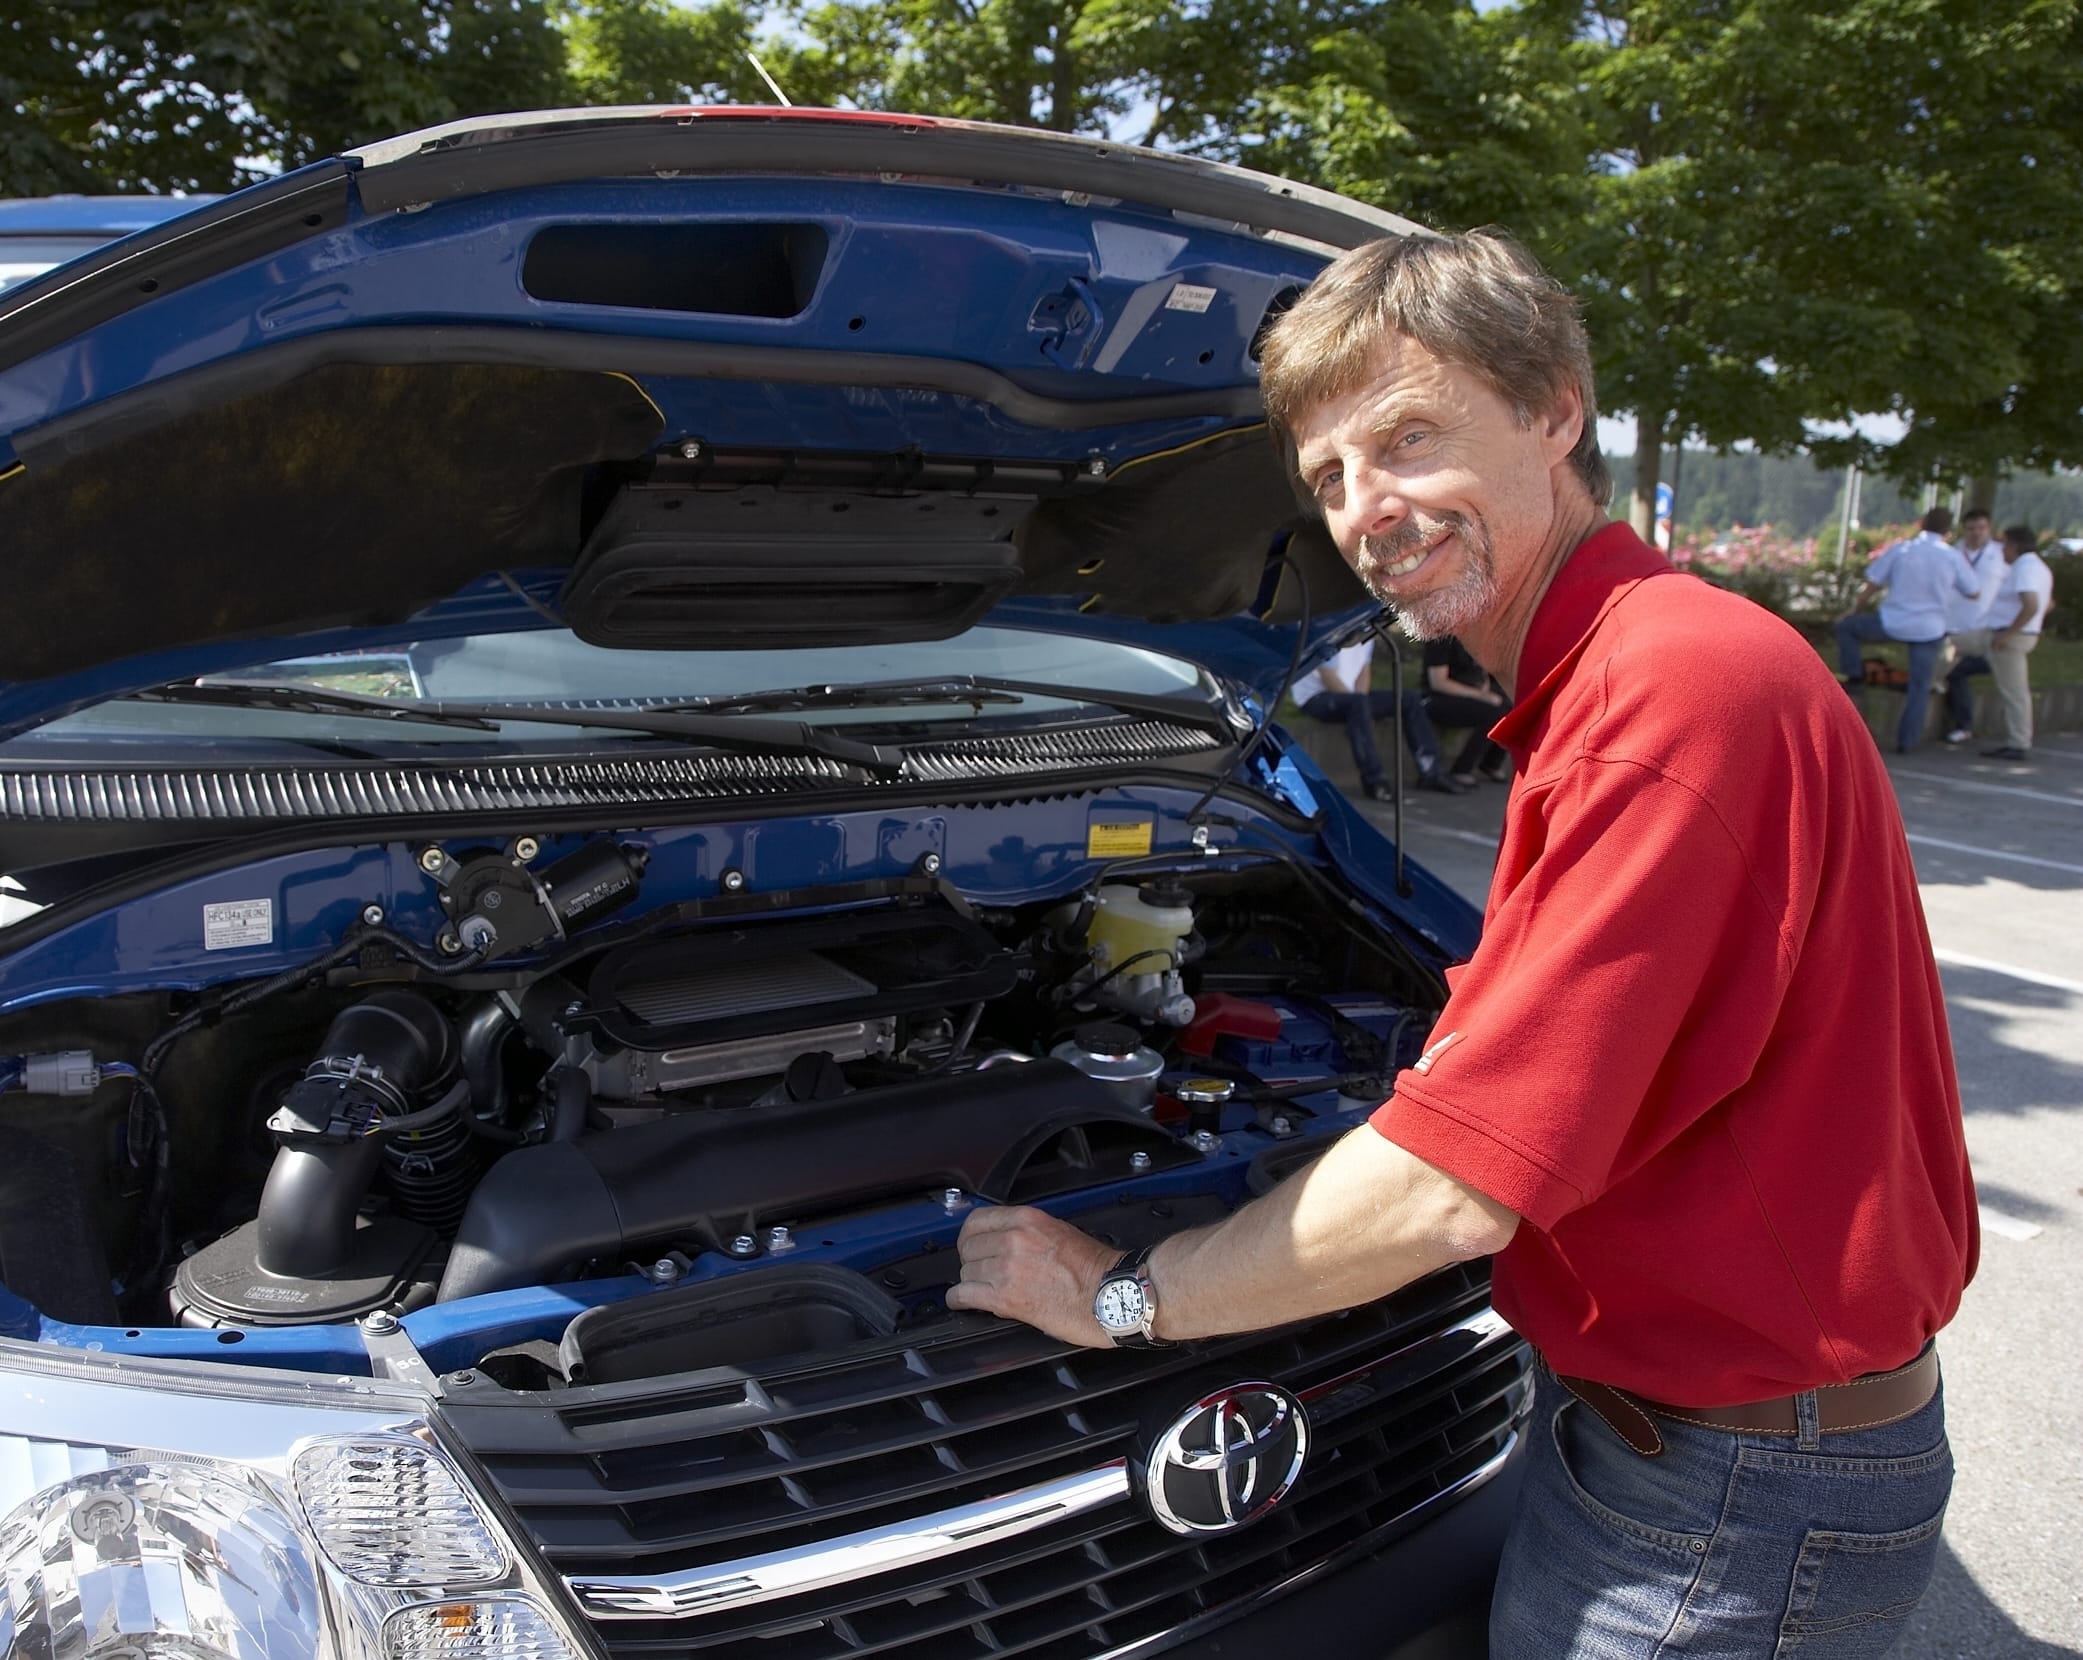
{"points": [[786, 1574]]}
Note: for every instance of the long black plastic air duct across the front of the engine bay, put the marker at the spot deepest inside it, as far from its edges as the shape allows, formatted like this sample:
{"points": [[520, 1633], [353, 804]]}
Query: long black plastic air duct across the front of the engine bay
{"points": [[707, 1178]]}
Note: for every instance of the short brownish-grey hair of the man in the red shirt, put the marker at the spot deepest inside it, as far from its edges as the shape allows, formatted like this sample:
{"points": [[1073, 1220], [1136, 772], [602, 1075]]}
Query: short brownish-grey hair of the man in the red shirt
{"points": [[1478, 301]]}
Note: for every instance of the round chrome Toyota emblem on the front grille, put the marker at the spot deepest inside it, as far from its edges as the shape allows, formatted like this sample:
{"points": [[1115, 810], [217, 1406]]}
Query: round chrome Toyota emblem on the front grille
{"points": [[1228, 1459]]}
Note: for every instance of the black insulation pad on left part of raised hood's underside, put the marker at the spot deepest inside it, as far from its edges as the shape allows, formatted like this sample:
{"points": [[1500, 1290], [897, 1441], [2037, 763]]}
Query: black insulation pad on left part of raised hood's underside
{"points": [[353, 495]]}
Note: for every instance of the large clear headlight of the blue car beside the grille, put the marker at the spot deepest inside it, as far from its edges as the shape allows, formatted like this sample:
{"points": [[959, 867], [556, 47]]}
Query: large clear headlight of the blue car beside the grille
{"points": [[249, 1519]]}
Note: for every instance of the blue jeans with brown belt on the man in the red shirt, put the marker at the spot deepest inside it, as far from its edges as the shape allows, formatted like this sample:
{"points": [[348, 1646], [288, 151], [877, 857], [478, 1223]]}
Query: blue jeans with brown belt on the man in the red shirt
{"points": [[1728, 1546]]}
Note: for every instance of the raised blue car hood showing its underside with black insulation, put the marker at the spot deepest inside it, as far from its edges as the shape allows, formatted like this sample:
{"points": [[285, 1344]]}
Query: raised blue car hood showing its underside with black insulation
{"points": [[705, 378]]}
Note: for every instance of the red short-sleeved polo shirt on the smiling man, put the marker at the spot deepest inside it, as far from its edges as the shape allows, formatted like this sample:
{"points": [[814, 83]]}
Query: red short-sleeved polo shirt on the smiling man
{"points": [[1701, 1047]]}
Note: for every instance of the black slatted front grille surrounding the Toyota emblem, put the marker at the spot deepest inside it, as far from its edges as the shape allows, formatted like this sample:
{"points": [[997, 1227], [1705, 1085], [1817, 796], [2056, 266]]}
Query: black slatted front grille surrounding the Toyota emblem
{"points": [[1409, 1399]]}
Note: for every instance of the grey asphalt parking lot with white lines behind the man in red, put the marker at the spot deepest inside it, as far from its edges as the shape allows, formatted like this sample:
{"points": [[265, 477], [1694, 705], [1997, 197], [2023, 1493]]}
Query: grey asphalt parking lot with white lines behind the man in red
{"points": [[2001, 867]]}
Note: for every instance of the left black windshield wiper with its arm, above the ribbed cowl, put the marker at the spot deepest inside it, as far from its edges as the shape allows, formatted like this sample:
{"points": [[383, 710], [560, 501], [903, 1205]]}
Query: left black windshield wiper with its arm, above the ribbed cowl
{"points": [[724, 732]]}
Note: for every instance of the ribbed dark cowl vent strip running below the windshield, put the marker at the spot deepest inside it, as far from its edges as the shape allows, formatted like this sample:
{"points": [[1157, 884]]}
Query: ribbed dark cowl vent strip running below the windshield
{"points": [[334, 793]]}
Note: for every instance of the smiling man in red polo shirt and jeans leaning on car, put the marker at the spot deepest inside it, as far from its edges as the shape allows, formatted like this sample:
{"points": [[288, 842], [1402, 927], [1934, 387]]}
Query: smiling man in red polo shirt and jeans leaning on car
{"points": [[1695, 1088]]}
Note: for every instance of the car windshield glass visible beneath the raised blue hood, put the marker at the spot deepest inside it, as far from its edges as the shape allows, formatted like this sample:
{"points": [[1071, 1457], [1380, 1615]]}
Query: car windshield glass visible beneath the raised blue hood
{"points": [[557, 672]]}
